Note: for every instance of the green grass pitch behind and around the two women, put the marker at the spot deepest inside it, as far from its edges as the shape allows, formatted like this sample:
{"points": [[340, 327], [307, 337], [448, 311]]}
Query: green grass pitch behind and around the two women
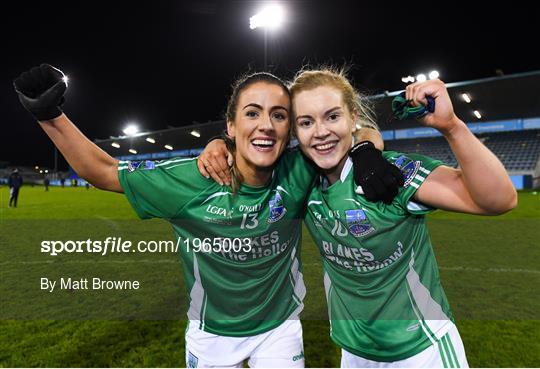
{"points": [[489, 269]]}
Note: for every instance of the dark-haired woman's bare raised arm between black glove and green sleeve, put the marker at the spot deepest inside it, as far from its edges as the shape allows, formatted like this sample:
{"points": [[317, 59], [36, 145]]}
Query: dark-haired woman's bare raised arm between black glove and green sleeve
{"points": [[88, 160]]}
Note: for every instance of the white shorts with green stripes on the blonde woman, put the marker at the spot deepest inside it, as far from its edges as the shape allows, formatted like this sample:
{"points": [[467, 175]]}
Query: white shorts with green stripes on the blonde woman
{"points": [[447, 352]]}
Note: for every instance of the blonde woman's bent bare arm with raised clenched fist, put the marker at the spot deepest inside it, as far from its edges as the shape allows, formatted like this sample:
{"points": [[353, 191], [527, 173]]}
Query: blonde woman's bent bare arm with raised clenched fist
{"points": [[481, 184]]}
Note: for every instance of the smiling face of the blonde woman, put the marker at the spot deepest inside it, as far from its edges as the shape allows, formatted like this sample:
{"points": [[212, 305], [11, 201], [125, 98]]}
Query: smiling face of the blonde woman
{"points": [[324, 127]]}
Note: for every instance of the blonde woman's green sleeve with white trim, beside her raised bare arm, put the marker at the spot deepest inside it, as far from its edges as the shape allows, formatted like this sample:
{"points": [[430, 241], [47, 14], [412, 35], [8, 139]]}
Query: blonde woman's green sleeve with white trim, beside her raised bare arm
{"points": [[415, 168]]}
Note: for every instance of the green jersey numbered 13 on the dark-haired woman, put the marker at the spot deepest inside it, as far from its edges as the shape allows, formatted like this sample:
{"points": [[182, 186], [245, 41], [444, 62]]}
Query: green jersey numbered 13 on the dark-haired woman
{"points": [[253, 282]]}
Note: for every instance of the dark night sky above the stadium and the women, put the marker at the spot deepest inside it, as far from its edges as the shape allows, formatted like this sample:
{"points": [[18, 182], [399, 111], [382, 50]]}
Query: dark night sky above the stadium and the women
{"points": [[171, 62]]}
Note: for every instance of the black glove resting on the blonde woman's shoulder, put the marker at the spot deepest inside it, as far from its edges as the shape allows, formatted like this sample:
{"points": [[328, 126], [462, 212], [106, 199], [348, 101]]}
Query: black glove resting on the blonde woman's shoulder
{"points": [[380, 180]]}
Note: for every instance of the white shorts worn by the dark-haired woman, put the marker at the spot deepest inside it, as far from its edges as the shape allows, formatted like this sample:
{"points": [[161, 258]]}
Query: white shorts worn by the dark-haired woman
{"points": [[281, 347]]}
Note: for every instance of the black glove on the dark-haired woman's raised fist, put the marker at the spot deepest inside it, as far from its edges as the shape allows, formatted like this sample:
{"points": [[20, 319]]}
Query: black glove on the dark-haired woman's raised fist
{"points": [[41, 91]]}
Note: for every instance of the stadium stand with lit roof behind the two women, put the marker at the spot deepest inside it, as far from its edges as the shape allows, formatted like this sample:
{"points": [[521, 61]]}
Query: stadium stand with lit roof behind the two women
{"points": [[509, 126]]}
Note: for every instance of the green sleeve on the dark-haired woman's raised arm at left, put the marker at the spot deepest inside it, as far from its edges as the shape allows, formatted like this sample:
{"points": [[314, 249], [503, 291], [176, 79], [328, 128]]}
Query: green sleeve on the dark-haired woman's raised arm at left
{"points": [[159, 189]]}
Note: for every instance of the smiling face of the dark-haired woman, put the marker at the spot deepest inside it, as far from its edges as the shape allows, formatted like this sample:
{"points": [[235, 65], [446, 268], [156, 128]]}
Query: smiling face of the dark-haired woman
{"points": [[260, 129]]}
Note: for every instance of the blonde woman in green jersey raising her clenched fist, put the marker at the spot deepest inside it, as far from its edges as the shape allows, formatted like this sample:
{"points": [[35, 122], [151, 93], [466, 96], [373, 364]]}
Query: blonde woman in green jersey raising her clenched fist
{"points": [[386, 304]]}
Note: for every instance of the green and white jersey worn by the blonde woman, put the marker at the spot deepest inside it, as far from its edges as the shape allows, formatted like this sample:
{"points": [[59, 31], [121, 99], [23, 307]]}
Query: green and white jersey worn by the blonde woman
{"points": [[385, 299]]}
